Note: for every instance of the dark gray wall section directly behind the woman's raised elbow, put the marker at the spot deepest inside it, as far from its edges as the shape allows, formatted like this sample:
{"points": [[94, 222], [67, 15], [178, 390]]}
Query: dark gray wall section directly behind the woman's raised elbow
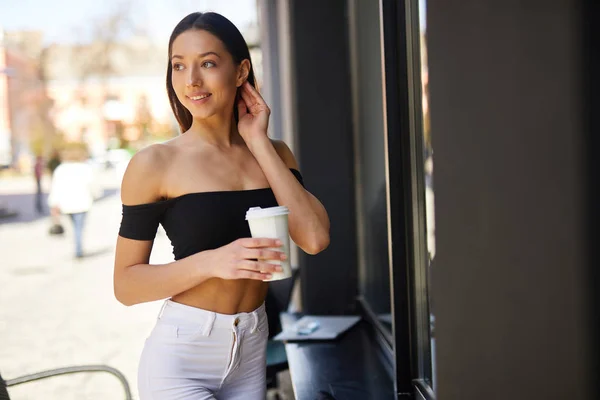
{"points": [[323, 145]]}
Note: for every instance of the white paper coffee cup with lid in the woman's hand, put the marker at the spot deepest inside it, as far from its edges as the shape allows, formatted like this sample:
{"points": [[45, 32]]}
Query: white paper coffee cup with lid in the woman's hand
{"points": [[272, 223]]}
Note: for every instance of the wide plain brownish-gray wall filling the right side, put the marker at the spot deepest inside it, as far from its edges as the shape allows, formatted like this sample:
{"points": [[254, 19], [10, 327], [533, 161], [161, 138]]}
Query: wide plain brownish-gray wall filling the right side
{"points": [[510, 277]]}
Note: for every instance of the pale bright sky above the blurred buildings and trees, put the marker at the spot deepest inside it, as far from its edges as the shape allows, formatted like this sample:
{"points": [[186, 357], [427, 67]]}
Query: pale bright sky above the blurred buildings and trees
{"points": [[64, 21]]}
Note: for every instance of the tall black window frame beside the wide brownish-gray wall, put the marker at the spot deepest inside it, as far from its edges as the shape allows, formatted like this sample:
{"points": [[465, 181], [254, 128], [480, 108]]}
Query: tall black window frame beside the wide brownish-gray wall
{"points": [[406, 197]]}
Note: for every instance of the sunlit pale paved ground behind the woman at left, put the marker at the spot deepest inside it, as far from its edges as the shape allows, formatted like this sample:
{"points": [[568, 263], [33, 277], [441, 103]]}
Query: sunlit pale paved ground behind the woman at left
{"points": [[56, 311]]}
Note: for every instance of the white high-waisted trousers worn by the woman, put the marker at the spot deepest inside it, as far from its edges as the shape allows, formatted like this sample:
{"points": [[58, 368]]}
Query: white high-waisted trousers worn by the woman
{"points": [[200, 355]]}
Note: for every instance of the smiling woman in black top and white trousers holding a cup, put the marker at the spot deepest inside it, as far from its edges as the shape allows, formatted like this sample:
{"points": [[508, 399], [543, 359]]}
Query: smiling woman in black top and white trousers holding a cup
{"points": [[210, 338]]}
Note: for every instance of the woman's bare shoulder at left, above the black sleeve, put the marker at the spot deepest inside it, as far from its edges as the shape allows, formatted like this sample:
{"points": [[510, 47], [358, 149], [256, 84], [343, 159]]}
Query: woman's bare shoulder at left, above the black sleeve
{"points": [[143, 179]]}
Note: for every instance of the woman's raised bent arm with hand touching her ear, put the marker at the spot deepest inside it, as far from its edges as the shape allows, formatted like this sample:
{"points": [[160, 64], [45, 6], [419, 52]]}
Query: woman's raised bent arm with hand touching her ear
{"points": [[308, 219]]}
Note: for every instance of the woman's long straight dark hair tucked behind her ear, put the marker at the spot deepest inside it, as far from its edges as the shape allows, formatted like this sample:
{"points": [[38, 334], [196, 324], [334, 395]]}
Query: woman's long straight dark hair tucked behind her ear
{"points": [[234, 42]]}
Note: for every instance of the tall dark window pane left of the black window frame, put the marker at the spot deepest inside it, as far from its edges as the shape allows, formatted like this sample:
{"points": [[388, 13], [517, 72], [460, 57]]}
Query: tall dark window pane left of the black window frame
{"points": [[371, 193]]}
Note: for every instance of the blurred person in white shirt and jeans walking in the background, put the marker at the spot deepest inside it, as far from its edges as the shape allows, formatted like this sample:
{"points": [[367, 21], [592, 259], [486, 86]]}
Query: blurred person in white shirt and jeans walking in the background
{"points": [[72, 191]]}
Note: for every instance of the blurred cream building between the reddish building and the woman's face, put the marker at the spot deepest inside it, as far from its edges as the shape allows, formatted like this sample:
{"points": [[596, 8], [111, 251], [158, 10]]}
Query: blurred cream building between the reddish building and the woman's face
{"points": [[109, 95]]}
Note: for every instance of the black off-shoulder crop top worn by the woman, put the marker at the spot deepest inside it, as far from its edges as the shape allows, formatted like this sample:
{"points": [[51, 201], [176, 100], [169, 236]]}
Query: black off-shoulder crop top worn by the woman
{"points": [[199, 221]]}
